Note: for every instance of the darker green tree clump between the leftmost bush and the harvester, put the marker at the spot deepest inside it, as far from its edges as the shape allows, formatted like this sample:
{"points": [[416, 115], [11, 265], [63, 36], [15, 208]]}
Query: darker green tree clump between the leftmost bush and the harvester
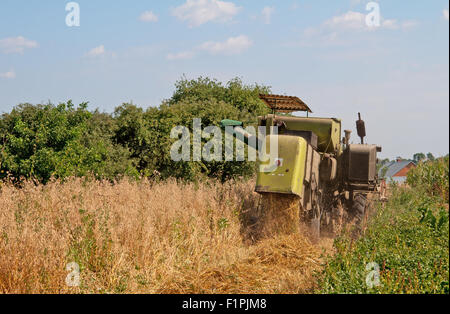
{"points": [[147, 134]]}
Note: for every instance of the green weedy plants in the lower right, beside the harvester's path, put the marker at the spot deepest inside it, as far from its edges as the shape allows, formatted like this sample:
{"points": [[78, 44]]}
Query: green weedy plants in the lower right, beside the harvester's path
{"points": [[408, 237]]}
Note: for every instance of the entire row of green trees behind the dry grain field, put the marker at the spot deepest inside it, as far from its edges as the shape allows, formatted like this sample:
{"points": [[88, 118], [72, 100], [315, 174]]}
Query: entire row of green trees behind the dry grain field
{"points": [[43, 141]]}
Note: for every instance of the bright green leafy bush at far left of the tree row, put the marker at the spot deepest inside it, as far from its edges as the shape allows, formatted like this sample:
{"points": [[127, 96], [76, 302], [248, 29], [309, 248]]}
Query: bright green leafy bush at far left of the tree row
{"points": [[45, 141]]}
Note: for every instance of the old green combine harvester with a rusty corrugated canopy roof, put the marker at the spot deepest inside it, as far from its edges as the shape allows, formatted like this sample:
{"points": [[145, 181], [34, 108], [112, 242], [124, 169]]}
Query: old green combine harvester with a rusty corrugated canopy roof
{"points": [[318, 177]]}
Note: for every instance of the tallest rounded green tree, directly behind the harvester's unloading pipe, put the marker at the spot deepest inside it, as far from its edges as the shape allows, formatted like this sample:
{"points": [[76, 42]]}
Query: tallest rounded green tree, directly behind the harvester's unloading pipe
{"points": [[211, 101]]}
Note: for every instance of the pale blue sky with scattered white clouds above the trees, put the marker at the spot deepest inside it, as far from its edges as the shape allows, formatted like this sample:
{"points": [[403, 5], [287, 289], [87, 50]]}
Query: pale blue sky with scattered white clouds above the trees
{"points": [[396, 74]]}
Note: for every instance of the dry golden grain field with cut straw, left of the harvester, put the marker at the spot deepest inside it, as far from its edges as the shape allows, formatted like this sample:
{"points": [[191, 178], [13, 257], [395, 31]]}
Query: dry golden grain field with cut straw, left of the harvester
{"points": [[144, 238]]}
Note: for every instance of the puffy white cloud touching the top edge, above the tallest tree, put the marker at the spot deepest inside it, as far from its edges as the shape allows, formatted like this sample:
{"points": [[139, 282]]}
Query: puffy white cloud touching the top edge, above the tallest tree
{"points": [[198, 12]]}
